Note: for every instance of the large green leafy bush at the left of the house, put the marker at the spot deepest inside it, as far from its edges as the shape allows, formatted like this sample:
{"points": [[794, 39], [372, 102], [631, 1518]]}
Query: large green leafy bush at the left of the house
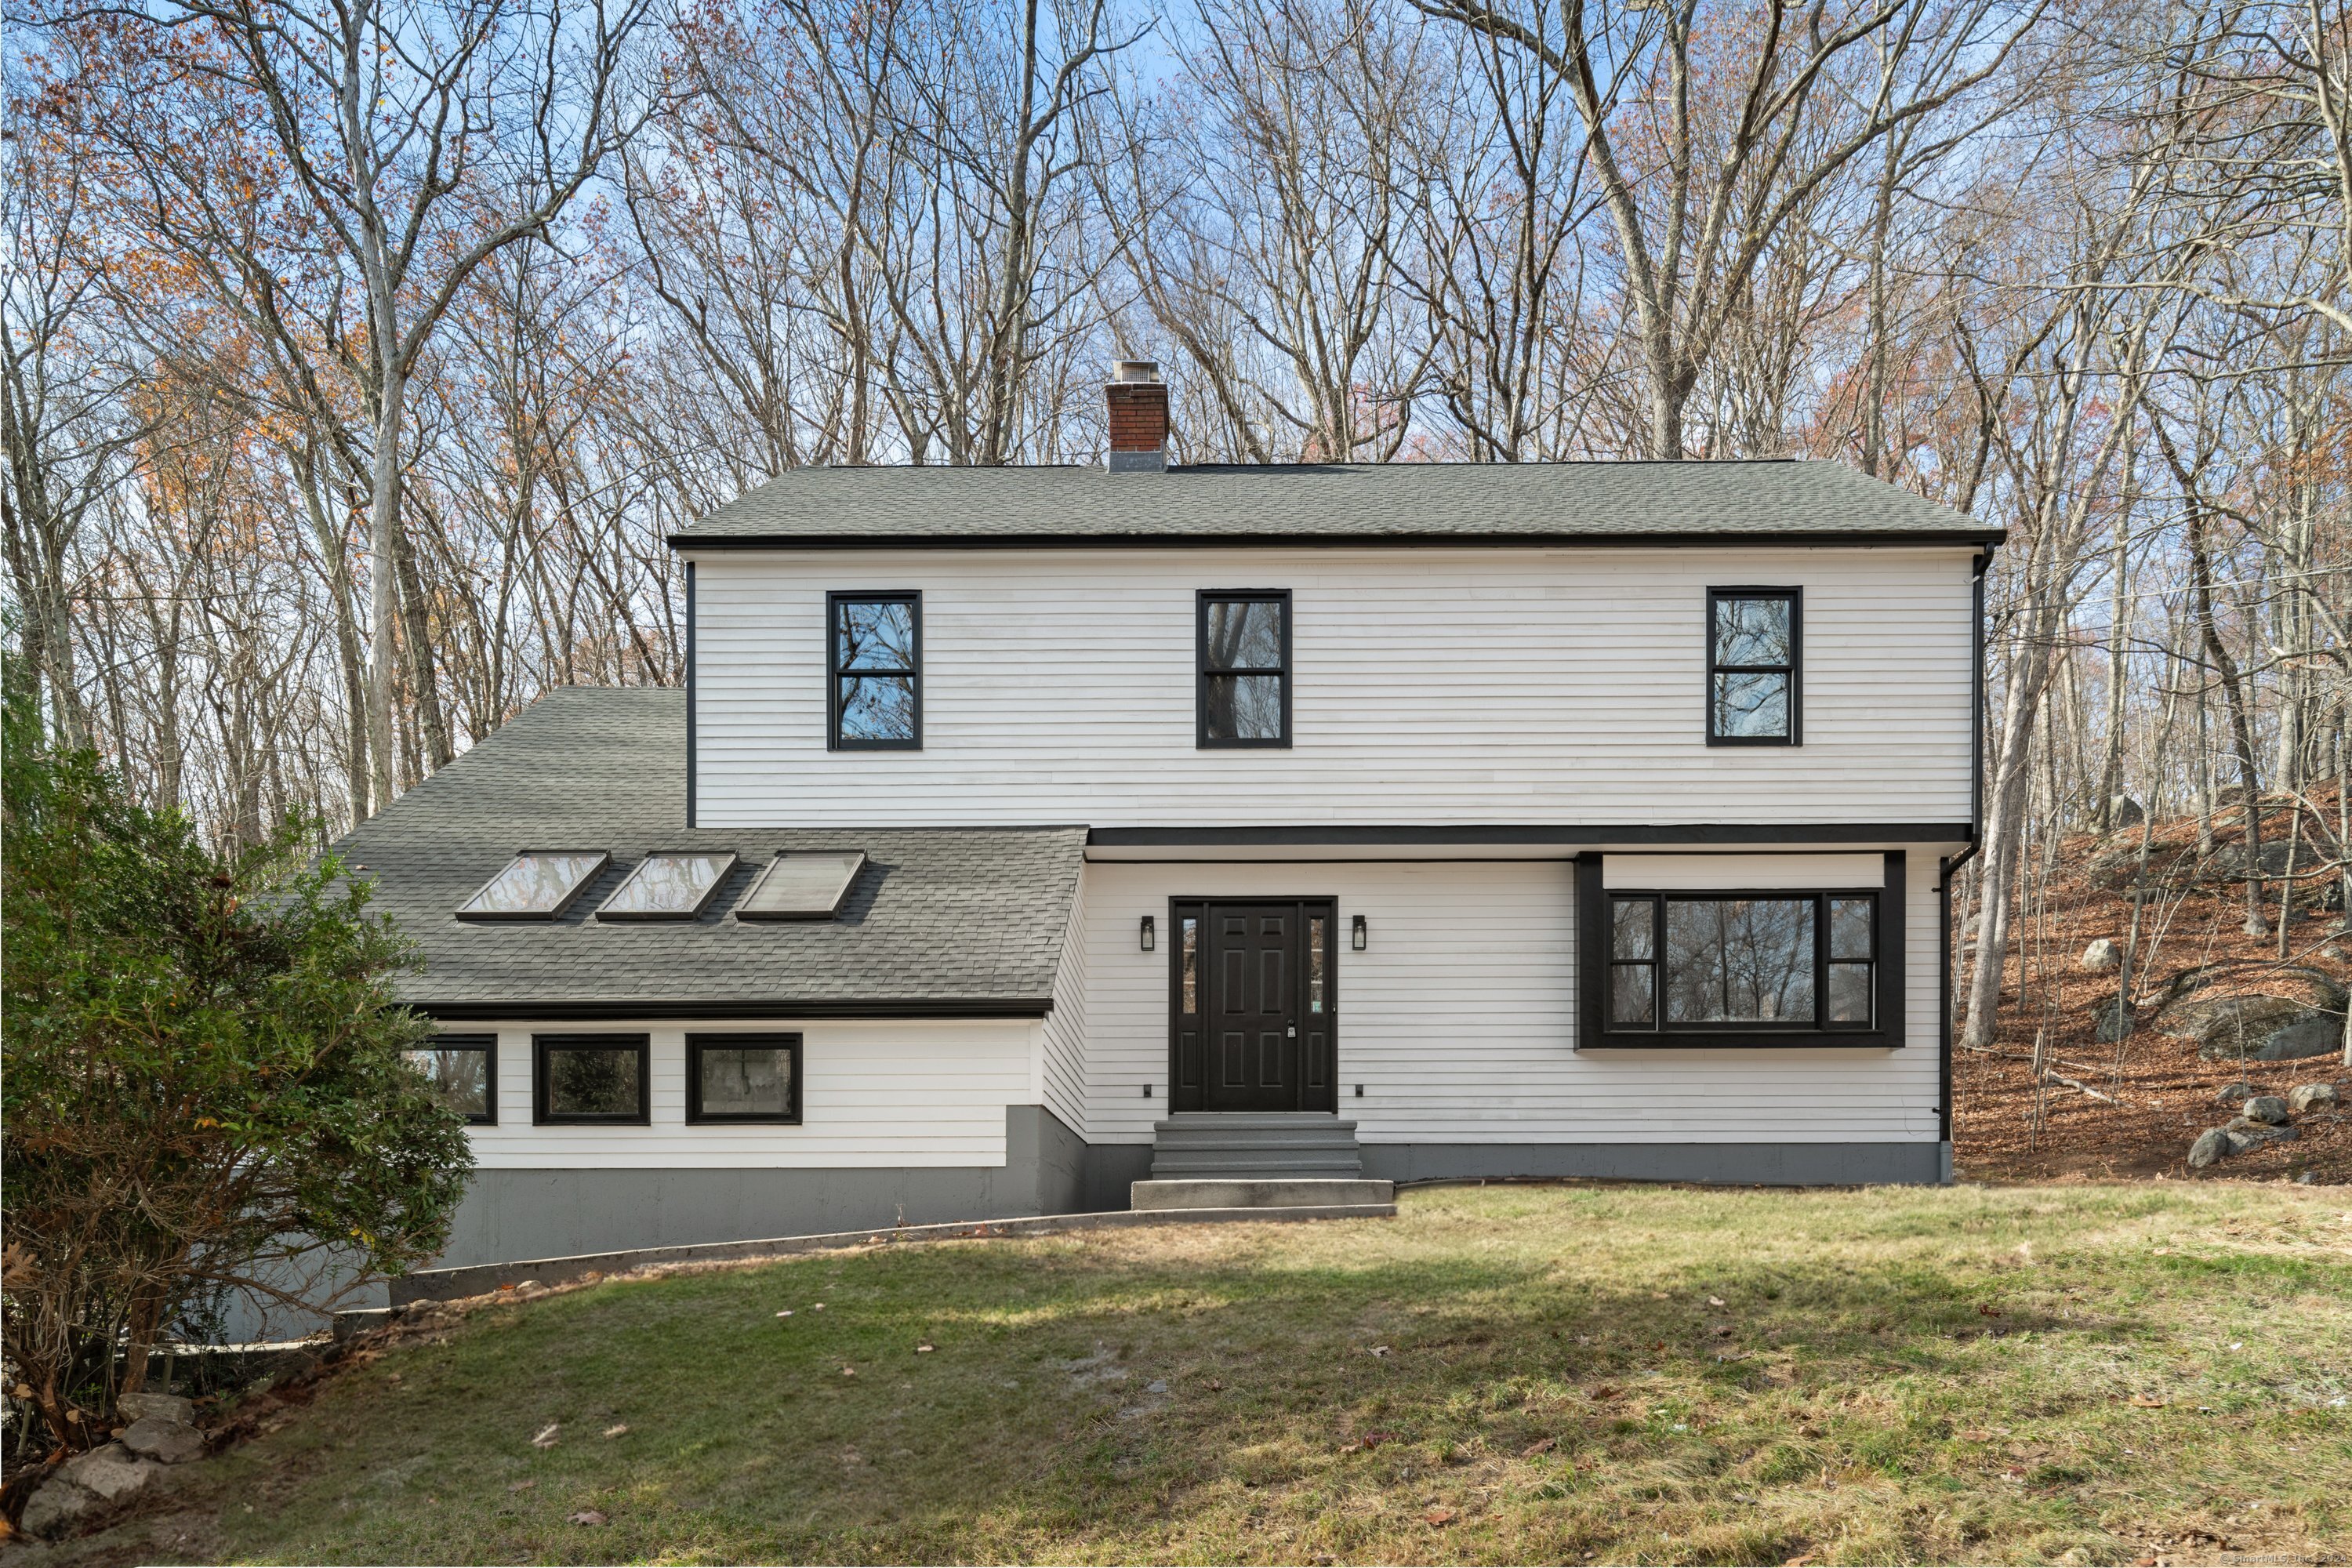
{"points": [[203, 1083]]}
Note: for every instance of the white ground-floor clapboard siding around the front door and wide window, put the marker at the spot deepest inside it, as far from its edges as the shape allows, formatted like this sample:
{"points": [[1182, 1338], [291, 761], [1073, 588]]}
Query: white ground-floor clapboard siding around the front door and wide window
{"points": [[1459, 1019]]}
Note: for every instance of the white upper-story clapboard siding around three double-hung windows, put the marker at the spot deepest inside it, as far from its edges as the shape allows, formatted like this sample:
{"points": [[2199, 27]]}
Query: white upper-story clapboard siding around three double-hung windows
{"points": [[1455, 688]]}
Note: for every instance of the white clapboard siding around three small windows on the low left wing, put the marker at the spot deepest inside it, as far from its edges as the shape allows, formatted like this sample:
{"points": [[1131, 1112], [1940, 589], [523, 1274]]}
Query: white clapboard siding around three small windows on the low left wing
{"points": [[874, 1094]]}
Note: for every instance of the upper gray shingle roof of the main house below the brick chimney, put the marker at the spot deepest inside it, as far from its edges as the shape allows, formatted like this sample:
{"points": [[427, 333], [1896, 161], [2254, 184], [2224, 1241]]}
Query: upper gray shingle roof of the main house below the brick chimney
{"points": [[1330, 504]]}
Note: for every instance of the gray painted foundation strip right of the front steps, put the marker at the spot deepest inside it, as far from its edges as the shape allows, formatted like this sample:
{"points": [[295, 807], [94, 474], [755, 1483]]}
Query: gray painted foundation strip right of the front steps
{"points": [[1744, 1165]]}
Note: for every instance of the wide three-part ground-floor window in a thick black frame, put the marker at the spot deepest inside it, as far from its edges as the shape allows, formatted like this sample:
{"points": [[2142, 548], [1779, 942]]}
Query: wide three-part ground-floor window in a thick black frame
{"points": [[1681, 967]]}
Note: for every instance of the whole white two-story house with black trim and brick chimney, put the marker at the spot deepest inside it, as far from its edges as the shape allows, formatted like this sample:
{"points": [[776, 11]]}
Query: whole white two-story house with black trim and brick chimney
{"points": [[1027, 833]]}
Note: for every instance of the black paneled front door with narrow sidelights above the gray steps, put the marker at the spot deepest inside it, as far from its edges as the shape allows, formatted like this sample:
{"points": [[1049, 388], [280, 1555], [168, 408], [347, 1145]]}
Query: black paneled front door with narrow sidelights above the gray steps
{"points": [[1255, 1000]]}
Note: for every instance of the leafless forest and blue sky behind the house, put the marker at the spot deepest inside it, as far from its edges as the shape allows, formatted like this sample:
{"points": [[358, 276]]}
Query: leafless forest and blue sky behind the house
{"points": [[363, 351]]}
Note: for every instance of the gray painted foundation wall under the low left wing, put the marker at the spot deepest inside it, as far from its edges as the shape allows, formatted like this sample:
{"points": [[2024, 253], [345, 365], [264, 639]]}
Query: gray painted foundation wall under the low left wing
{"points": [[549, 1214]]}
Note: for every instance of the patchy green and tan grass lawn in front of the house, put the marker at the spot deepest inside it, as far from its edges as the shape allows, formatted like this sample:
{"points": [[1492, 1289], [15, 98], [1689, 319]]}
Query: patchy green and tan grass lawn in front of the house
{"points": [[1506, 1374]]}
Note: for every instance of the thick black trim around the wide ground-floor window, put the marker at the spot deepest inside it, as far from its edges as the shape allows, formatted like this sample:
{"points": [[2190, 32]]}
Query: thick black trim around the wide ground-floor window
{"points": [[1593, 979]]}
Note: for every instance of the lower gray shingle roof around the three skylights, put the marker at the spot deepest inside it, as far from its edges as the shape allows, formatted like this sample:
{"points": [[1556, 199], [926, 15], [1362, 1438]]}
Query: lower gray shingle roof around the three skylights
{"points": [[961, 920]]}
